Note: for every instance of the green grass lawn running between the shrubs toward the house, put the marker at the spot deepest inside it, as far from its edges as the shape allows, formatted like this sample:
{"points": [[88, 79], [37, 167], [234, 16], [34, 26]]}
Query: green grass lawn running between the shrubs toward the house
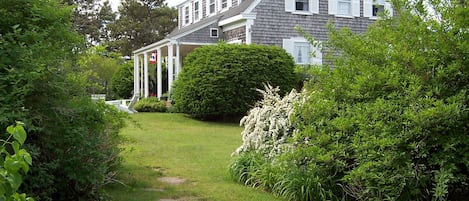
{"points": [[171, 145]]}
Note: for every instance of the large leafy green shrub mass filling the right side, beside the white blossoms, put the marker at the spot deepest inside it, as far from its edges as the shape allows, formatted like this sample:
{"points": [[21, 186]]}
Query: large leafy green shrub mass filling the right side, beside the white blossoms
{"points": [[389, 122]]}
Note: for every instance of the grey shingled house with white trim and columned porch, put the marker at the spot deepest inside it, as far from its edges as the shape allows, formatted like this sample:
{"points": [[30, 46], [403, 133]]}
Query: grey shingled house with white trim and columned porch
{"points": [[270, 22]]}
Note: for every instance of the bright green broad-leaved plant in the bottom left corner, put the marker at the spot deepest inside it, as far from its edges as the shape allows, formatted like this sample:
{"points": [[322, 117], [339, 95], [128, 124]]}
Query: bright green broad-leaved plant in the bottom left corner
{"points": [[14, 161]]}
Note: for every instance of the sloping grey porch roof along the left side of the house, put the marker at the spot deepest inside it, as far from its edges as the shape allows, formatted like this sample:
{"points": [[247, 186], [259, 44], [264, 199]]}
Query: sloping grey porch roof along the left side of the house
{"points": [[243, 6]]}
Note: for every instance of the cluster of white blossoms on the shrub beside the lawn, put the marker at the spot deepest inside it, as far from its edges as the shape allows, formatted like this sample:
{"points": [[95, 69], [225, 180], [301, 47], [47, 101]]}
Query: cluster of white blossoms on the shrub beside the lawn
{"points": [[267, 127]]}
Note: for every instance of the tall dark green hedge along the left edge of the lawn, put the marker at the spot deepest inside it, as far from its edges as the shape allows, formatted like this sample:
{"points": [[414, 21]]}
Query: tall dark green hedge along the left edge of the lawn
{"points": [[73, 141]]}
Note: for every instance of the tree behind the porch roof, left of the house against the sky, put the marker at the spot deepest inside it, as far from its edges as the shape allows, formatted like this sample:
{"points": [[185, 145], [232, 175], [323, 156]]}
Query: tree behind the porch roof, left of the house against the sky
{"points": [[141, 22]]}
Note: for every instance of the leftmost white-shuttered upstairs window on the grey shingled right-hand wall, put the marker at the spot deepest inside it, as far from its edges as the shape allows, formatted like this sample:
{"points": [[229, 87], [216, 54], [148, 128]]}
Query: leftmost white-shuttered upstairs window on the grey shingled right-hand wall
{"points": [[302, 7]]}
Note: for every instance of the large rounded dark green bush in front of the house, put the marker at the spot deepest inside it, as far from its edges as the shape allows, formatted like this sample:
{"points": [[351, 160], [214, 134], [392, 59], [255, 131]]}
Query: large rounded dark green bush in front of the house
{"points": [[220, 80]]}
